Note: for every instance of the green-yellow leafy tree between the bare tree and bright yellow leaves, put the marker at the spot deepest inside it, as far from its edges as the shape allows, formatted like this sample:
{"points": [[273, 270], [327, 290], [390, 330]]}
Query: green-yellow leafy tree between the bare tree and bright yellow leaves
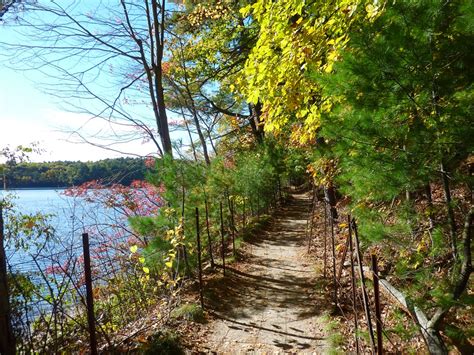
{"points": [[217, 41]]}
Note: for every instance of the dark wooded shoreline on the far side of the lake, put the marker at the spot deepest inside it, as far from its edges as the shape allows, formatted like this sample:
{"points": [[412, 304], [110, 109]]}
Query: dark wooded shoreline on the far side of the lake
{"points": [[69, 173]]}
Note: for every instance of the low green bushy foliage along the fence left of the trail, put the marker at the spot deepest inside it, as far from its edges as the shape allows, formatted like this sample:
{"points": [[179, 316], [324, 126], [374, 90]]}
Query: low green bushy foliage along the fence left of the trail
{"points": [[245, 182]]}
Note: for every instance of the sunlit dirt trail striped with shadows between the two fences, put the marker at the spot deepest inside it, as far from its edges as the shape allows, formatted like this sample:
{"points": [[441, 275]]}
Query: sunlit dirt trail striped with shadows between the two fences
{"points": [[270, 304]]}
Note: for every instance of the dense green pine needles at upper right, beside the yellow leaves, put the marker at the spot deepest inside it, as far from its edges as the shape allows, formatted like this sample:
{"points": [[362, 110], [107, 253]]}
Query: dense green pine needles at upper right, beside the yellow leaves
{"points": [[388, 132]]}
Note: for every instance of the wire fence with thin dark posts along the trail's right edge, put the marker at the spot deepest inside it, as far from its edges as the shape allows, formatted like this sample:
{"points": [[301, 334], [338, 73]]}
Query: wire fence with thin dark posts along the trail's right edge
{"points": [[355, 287]]}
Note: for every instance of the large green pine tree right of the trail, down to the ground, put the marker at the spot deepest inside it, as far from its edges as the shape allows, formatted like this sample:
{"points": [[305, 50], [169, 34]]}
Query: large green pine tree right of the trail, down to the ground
{"points": [[402, 122]]}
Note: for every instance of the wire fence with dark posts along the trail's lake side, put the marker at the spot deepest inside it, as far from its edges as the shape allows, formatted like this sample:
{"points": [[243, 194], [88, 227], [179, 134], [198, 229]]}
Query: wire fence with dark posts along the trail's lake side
{"points": [[68, 293]]}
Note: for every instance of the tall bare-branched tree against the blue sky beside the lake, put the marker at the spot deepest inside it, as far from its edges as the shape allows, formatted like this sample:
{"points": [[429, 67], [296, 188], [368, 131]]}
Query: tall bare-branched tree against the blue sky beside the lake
{"points": [[117, 41]]}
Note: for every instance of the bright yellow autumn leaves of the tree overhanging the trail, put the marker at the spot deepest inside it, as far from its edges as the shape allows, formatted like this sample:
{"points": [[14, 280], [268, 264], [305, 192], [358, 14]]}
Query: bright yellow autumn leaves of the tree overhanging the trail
{"points": [[294, 39]]}
